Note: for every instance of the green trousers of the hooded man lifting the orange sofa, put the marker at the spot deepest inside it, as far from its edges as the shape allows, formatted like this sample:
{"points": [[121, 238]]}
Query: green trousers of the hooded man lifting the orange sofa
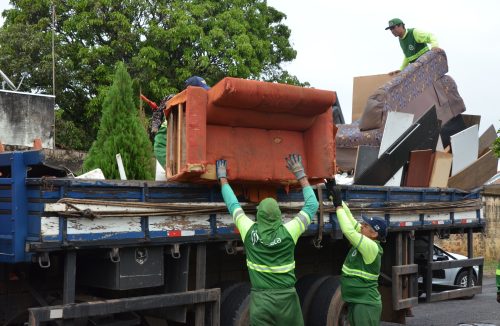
{"points": [[275, 307]]}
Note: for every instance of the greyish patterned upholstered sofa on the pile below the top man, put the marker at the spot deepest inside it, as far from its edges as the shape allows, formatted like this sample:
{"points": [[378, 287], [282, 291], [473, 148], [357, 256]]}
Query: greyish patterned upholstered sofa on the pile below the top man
{"points": [[420, 86]]}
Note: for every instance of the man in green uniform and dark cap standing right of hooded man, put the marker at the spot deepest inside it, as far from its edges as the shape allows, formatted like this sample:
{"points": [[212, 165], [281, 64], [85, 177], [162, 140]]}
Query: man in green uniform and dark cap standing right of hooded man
{"points": [[361, 269]]}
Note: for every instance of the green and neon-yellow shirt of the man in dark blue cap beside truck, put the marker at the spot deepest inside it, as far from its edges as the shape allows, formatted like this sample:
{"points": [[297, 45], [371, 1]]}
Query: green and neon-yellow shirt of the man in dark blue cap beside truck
{"points": [[361, 269]]}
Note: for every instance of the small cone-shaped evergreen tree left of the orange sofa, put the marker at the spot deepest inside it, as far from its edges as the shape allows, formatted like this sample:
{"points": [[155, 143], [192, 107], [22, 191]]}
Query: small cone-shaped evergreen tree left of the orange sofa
{"points": [[121, 131]]}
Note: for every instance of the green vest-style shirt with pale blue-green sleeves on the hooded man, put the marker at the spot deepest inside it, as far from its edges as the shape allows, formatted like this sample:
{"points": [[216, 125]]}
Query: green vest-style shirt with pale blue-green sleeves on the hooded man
{"points": [[271, 266]]}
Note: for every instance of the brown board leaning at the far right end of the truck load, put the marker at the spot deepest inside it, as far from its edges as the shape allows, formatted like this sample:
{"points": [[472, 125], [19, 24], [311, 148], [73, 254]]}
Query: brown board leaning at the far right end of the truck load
{"points": [[476, 174]]}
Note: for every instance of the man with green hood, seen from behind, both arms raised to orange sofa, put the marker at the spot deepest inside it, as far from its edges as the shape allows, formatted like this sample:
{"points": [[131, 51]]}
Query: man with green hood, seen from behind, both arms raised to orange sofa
{"points": [[269, 246]]}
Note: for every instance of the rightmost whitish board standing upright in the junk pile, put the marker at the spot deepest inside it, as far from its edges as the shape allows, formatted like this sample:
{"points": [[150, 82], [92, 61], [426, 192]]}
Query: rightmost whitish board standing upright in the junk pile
{"points": [[464, 146]]}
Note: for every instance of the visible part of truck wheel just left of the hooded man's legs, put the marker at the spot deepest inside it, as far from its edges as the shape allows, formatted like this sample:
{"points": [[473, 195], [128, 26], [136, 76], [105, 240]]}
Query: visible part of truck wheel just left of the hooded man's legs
{"points": [[234, 311]]}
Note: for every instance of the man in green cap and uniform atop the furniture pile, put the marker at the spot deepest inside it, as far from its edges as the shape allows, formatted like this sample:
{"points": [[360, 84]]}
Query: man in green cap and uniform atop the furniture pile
{"points": [[413, 41]]}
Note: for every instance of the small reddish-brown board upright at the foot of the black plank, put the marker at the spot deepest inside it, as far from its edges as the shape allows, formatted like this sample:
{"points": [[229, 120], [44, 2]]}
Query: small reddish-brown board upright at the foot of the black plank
{"points": [[420, 168]]}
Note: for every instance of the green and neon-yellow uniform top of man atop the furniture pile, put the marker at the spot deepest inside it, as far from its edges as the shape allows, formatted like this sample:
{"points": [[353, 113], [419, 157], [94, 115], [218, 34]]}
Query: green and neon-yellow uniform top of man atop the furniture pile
{"points": [[414, 44]]}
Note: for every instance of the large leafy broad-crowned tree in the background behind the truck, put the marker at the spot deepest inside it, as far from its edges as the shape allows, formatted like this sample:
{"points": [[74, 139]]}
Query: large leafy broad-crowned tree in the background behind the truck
{"points": [[161, 42]]}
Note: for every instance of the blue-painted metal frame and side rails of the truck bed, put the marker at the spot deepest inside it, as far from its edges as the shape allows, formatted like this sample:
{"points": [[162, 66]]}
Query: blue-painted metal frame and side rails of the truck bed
{"points": [[22, 202]]}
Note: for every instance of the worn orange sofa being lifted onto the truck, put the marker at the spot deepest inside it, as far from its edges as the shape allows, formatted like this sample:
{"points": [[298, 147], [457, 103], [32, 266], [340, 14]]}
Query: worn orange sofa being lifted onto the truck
{"points": [[253, 125]]}
